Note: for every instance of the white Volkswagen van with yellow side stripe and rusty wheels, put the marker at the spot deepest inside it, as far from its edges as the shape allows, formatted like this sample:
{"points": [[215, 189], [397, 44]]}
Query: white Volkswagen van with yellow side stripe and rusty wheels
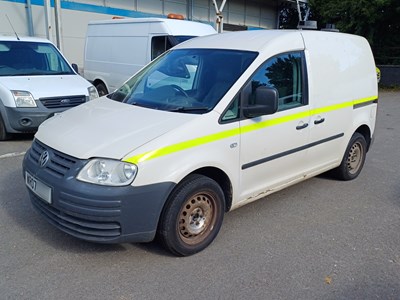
{"points": [[215, 123]]}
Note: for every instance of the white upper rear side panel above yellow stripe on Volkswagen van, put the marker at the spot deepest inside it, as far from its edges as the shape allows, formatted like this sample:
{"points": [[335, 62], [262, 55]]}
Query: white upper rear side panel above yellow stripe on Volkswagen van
{"points": [[341, 67]]}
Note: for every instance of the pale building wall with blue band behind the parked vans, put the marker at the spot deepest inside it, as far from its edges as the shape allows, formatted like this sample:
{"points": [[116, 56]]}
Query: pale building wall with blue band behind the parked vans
{"points": [[76, 14]]}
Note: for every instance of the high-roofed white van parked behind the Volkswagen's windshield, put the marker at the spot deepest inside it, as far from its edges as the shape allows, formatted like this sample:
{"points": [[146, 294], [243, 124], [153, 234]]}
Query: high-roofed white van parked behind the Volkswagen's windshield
{"points": [[116, 49]]}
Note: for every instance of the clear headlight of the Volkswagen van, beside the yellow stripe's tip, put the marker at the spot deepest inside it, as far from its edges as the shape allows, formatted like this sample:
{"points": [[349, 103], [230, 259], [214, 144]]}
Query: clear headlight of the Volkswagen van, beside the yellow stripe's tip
{"points": [[108, 172]]}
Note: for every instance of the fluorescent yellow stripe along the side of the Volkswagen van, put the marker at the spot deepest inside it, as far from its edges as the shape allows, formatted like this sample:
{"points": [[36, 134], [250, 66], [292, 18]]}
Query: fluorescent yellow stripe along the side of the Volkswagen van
{"points": [[236, 131]]}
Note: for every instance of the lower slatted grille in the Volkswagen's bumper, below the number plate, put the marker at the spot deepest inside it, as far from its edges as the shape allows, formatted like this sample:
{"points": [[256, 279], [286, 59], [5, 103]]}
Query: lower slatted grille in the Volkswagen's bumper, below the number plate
{"points": [[81, 228]]}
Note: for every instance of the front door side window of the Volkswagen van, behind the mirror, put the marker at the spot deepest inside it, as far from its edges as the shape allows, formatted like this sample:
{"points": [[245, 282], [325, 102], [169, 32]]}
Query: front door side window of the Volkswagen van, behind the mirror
{"points": [[283, 72]]}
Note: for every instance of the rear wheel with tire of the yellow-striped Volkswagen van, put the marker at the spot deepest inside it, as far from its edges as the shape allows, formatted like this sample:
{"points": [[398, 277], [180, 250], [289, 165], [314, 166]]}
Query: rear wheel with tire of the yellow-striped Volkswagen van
{"points": [[353, 159]]}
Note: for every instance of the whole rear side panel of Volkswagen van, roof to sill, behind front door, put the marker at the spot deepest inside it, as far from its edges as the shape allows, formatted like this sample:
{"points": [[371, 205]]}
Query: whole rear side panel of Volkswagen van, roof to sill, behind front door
{"points": [[341, 70]]}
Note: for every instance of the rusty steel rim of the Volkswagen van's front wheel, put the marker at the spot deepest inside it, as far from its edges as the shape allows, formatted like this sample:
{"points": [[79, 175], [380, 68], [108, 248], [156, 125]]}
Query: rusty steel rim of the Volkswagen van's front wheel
{"points": [[197, 218]]}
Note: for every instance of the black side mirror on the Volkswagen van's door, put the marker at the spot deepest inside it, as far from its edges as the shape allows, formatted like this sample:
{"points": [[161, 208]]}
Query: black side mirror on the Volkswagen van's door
{"points": [[266, 103]]}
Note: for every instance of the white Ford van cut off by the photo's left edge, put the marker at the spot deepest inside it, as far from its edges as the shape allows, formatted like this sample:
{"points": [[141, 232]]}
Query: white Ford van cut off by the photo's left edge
{"points": [[36, 82]]}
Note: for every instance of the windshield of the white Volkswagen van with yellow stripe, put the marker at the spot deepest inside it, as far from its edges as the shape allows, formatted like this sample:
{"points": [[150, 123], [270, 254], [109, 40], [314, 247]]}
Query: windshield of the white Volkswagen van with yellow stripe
{"points": [[185, 80]]}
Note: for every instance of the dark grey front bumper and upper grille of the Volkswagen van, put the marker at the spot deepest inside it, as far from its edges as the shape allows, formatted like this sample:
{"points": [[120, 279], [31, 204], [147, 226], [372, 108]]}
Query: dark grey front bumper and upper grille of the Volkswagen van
{"points": [[92, 212]]}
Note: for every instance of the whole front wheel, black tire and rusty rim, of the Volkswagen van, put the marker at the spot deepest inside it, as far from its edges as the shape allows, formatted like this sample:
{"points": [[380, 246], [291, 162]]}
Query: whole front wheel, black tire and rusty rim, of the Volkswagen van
{"points": [[192, 216]]}
